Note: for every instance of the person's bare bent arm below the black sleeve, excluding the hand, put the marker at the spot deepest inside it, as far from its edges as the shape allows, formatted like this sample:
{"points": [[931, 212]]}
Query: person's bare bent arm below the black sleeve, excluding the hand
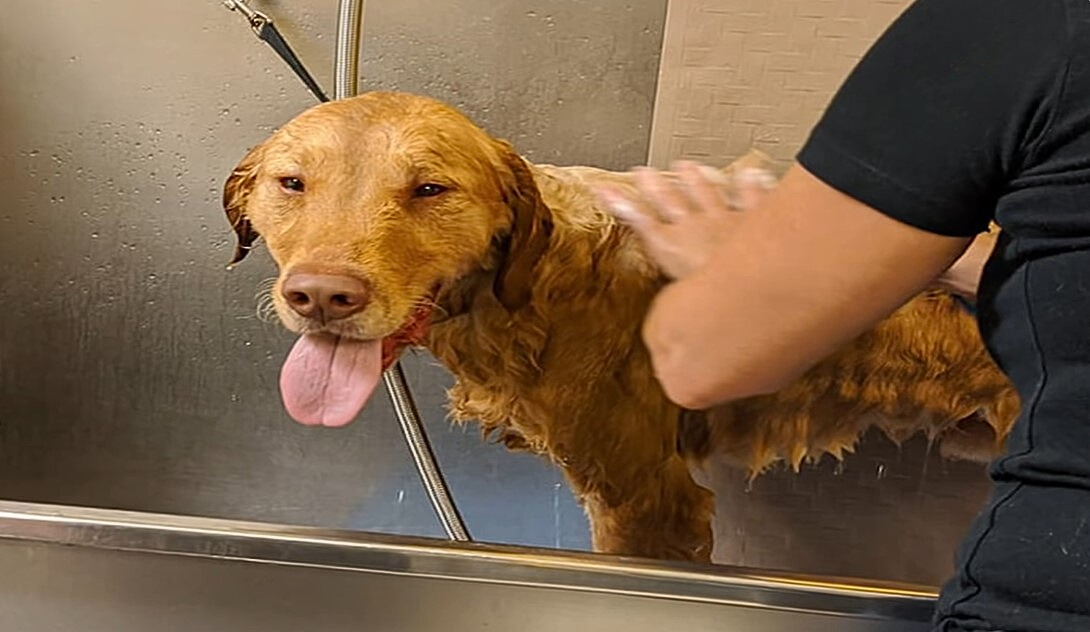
{"points": [[806, 272]]}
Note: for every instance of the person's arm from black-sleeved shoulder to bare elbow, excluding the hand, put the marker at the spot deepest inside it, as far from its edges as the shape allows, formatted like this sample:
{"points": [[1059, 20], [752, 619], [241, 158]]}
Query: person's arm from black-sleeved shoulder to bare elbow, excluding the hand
{"points": [[904, 169]]}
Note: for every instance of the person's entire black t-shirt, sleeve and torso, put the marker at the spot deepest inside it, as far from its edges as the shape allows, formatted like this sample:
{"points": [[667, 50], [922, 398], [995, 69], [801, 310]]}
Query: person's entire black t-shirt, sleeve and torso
{"points": [[963, 113]]}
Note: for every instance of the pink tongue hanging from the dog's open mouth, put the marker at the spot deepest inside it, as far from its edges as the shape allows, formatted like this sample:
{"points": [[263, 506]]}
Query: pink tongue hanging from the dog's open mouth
{"points": [[326, 381]]}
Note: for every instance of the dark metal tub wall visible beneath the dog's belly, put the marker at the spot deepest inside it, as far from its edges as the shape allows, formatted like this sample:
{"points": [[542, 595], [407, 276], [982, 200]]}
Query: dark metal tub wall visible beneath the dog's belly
{"points": [[888, 513]]}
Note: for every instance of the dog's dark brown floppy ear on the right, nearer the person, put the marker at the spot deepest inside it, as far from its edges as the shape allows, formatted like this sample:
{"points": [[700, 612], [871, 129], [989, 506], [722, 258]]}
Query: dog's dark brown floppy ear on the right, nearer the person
{"points": [[531, 229]]}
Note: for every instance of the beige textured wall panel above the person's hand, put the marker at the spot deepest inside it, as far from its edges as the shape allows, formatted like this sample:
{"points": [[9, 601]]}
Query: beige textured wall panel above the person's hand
{"points": [[756, 74]]}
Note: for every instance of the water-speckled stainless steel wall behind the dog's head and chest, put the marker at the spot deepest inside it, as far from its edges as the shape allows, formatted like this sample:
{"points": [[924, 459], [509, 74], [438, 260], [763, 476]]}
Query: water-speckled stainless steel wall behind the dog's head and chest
{"points": [[134, 372]]}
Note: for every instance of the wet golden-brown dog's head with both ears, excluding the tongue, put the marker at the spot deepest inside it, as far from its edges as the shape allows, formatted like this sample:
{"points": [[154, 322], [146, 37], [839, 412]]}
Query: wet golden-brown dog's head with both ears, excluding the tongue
{"points": [[370, 204]]}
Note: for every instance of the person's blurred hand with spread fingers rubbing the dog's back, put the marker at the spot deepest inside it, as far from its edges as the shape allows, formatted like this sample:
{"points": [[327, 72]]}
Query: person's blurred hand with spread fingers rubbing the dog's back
{"points": [[683, 222]]}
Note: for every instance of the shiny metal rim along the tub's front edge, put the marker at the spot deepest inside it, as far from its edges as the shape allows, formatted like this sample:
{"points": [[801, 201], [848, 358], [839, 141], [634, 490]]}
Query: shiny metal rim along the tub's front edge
{"points": [[223, 540]]}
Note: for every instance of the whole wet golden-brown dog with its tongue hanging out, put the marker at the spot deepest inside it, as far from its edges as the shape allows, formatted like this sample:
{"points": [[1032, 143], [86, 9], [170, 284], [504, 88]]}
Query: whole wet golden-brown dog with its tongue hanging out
{"points": [[395, 221]]}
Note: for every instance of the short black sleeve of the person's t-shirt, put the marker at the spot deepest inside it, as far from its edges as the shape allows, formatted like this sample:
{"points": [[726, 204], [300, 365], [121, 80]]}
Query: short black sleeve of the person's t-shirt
{"points": [[943, 111]]}
